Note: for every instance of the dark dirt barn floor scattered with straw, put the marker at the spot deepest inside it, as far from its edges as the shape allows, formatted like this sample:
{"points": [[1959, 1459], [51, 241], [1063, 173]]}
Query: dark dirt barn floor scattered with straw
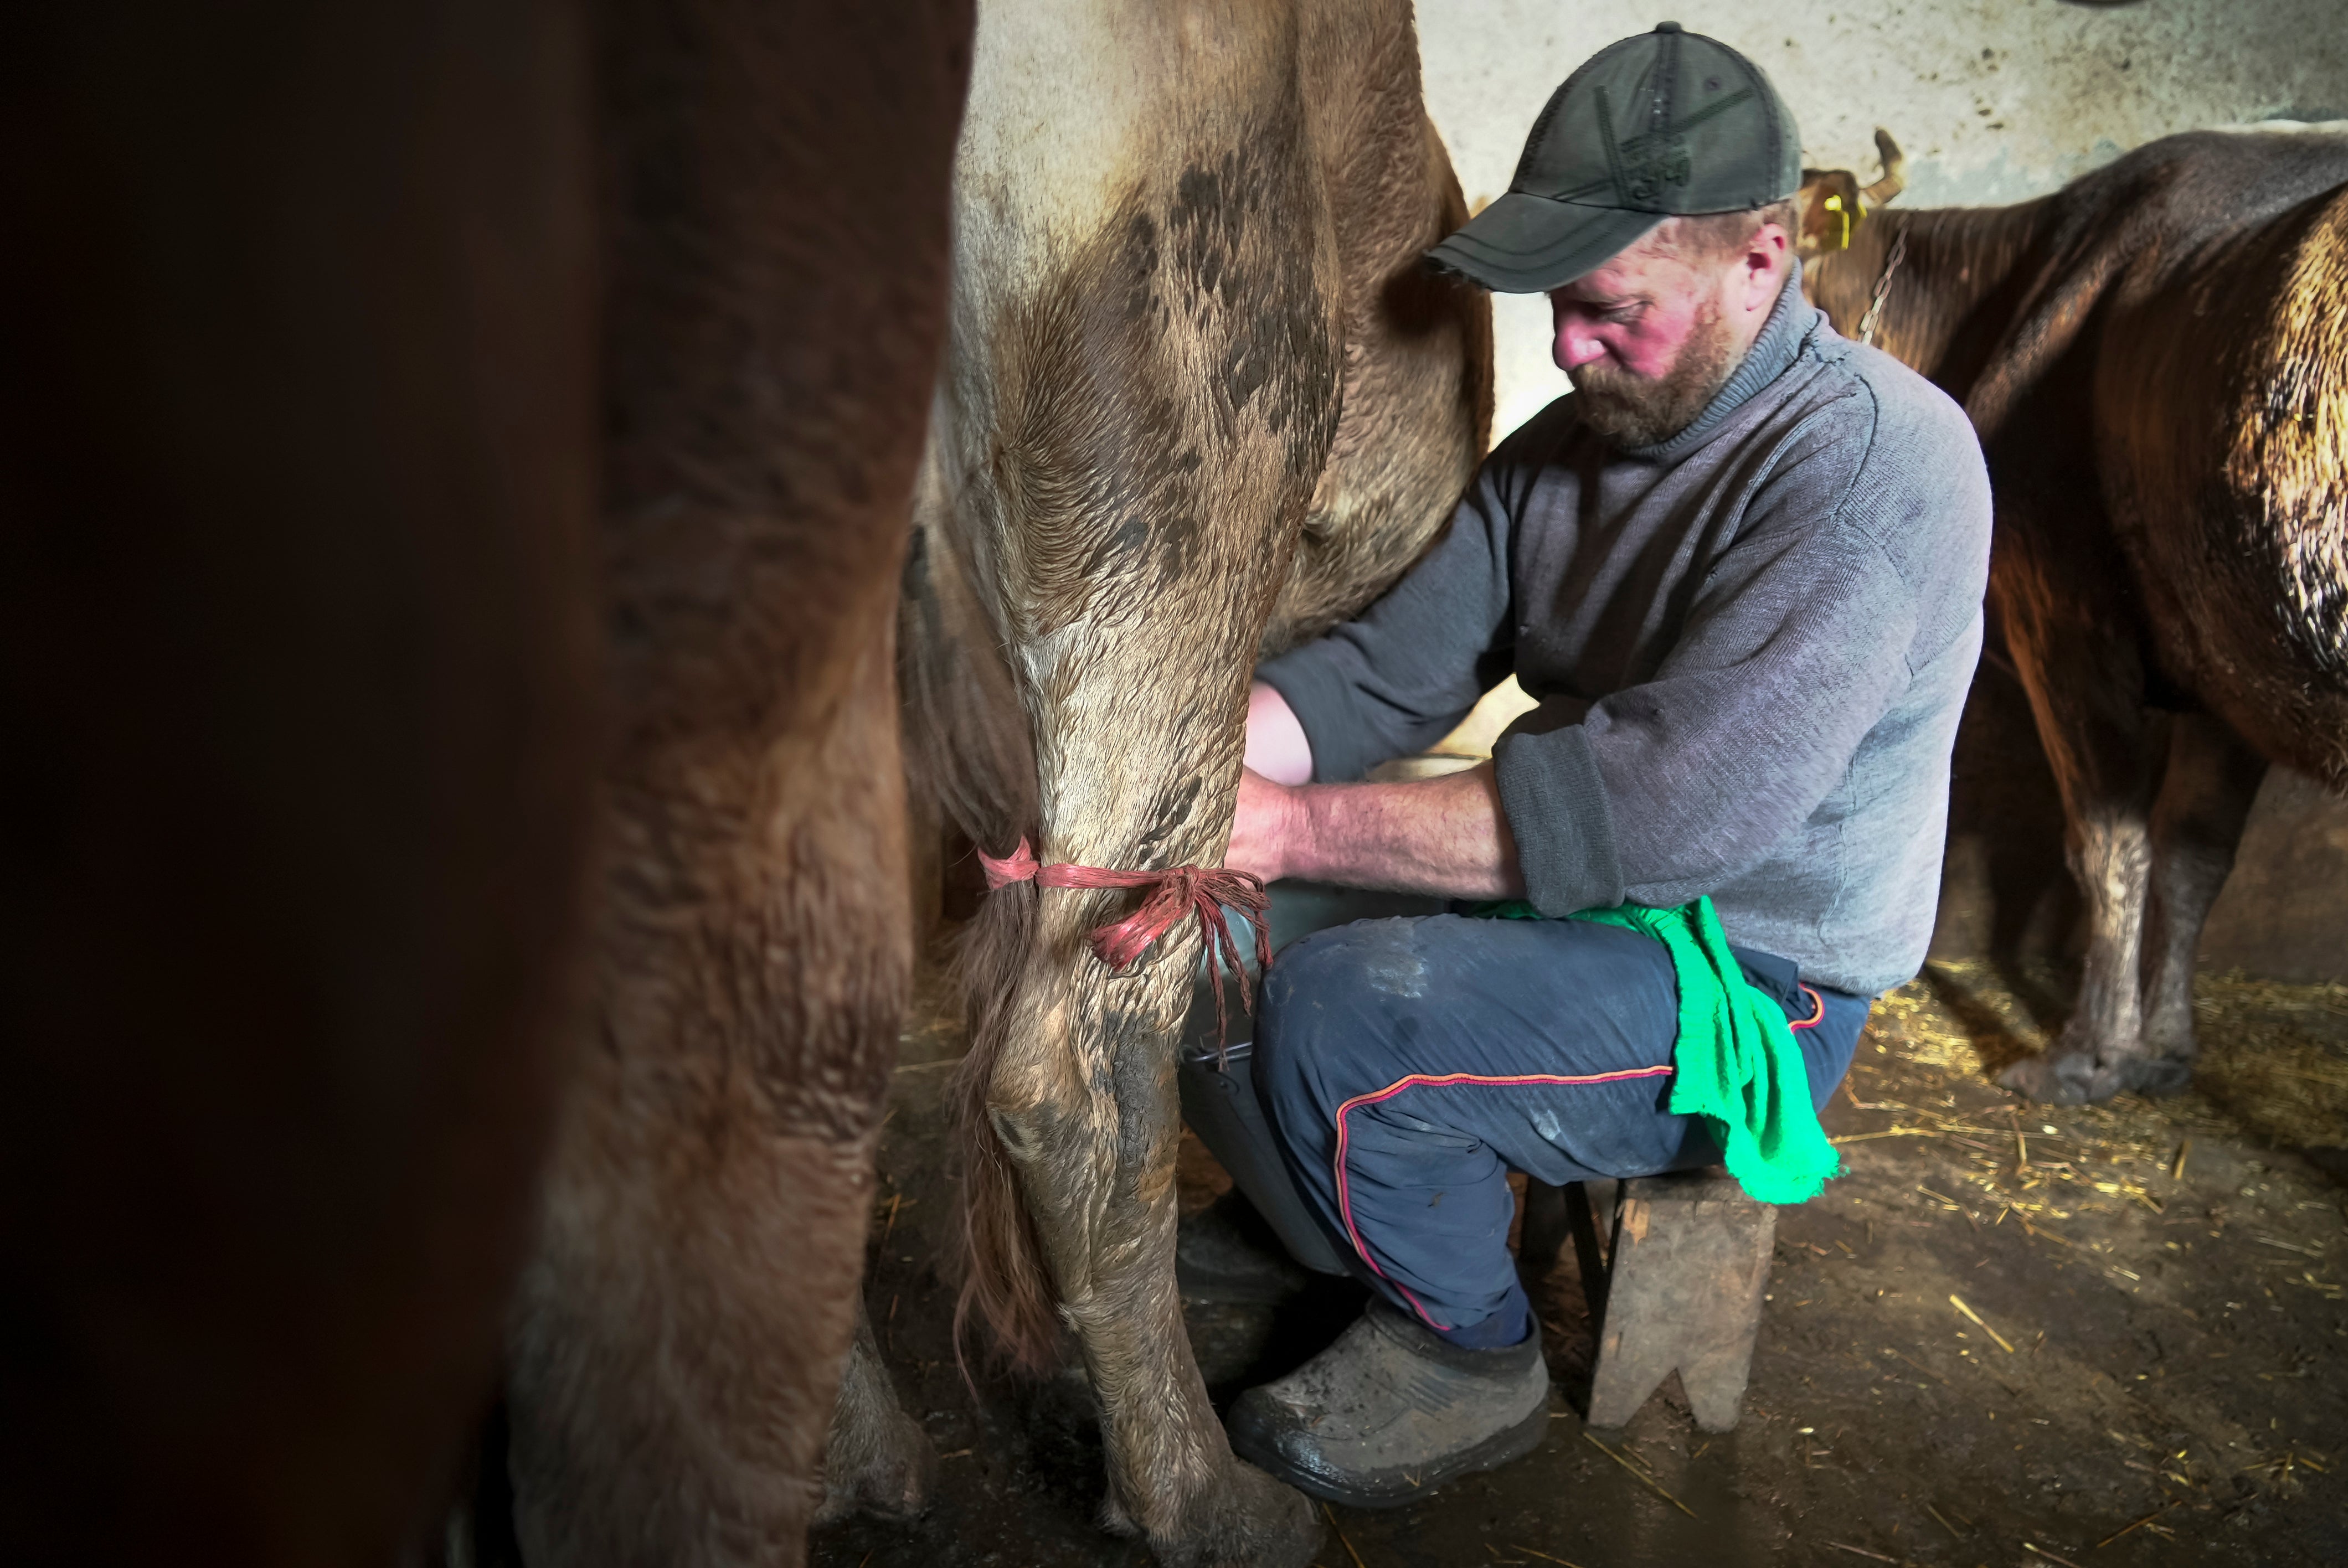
{"points": [[2150, 1363]]}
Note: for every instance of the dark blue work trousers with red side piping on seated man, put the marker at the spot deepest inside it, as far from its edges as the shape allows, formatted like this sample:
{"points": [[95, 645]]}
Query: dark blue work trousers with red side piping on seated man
{"points": [[1405, 1067]]}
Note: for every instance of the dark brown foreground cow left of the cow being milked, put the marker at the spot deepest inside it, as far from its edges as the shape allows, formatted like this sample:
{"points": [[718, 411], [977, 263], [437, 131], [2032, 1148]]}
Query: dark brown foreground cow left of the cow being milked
{"points": [[321, 363]]}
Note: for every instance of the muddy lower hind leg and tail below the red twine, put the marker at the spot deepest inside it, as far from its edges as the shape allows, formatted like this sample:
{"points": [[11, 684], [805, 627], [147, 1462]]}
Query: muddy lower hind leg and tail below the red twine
{"points": [[1070, 1128]]}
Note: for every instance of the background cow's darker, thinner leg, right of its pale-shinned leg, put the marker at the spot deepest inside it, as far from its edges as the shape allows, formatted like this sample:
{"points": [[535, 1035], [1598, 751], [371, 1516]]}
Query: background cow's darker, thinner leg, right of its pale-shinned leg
{"points": [[2206, 795]]}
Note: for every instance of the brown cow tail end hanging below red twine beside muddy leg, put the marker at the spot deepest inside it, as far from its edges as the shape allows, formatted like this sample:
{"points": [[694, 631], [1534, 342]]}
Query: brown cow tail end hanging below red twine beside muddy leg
{"points": [[1001, 1257]]}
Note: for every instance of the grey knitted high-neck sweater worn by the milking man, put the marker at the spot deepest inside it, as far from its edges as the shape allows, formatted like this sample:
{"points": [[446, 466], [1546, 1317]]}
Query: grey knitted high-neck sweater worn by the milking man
{"points": [[1750, 651]]}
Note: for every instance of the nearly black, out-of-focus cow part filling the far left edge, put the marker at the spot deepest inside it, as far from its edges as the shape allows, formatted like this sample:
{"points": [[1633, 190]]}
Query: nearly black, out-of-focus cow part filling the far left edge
{"points": [[297, 473]]}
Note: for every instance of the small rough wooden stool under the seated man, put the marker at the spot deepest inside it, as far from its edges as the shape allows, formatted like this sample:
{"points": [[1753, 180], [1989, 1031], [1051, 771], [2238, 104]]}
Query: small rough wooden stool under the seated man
{"points": [[1675, 1290]]}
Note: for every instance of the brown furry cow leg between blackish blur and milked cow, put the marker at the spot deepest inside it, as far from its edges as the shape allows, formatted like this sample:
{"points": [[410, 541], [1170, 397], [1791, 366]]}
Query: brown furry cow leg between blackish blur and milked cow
{"points": [[778, 212]]}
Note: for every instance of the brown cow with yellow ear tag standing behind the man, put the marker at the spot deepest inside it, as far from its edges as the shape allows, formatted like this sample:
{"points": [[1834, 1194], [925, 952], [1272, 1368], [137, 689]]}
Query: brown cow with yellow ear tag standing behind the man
{"points": [[2157, 360]]}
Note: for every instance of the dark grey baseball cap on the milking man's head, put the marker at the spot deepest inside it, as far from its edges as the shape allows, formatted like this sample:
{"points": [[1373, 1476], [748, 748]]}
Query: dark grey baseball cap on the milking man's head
{"points": [[1657, 126]]}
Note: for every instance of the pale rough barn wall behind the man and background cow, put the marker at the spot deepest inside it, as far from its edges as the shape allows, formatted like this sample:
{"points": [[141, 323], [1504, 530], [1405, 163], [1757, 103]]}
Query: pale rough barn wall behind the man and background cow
{"points": [[1995, 102]]}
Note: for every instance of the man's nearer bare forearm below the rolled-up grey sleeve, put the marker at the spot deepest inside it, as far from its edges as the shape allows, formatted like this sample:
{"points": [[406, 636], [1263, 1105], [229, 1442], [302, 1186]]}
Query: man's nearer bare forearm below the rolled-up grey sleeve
{"points": [[1443, 837]]}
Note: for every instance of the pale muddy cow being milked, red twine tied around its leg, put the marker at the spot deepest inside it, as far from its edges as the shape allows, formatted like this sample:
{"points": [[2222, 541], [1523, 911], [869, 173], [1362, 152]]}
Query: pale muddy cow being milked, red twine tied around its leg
{"points": [[1201, 400]]}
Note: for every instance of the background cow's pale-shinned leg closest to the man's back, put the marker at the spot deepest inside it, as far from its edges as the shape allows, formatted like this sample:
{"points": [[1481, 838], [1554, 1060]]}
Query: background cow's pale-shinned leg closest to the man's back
{"points": [[2084, 673]]}
